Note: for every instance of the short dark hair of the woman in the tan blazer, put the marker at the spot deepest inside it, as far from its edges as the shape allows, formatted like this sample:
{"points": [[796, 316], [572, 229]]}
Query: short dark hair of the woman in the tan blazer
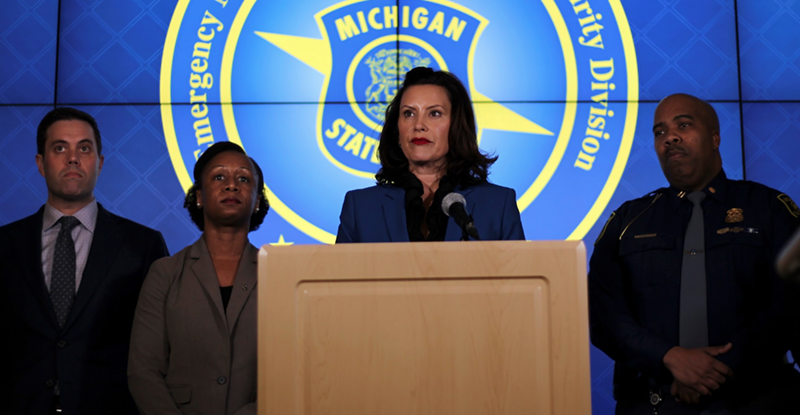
{"points": [[190, 202]]}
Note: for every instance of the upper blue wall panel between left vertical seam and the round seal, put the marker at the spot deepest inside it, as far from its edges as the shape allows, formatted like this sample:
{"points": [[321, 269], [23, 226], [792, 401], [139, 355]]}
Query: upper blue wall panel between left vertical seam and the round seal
{"points": [[110, 51]]}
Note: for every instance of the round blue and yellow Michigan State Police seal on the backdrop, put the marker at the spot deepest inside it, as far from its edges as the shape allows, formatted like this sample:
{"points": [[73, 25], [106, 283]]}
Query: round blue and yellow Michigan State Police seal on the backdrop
{"points": [[303, 87]]}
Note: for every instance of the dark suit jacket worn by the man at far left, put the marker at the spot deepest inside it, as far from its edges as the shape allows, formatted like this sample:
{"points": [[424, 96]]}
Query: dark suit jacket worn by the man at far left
{"points": [[89, 355]]}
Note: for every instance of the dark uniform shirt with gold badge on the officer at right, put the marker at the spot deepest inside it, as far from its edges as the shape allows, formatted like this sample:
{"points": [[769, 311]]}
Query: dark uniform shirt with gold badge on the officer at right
{"points": [[635, 274]]}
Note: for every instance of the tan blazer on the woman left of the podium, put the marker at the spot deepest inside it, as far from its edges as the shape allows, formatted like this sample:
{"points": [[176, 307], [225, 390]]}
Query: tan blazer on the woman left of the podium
{"points": [[187, 355]]}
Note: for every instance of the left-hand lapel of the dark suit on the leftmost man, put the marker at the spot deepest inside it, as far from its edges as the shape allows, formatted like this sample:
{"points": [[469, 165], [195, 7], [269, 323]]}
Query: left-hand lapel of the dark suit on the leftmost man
{"points": [[30, 250]]}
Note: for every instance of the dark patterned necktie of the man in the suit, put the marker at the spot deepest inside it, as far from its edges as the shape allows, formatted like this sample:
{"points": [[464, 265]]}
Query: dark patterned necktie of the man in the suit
{"points": [[62, 281]]}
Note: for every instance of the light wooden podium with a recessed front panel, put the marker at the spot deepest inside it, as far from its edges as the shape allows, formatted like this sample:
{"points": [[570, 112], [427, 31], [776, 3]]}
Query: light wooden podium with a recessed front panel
{"points": [[440, 328]]}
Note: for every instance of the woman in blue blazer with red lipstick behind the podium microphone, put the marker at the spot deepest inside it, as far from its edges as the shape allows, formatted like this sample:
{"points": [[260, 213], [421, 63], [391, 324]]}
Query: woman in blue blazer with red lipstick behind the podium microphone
{"points": [[429, 159]]}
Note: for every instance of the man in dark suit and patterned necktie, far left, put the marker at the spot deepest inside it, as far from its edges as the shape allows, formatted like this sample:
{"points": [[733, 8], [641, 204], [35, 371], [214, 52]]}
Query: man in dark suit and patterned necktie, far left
{"points": [[70, 280]]}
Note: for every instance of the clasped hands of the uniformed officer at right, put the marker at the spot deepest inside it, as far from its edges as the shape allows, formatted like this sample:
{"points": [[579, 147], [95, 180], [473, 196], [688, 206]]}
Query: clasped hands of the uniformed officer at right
{"points": [[697, 368]]}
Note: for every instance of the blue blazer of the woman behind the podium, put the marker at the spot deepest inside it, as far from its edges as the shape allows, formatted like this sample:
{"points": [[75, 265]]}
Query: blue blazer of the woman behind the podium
{"points": [[378, 214]]}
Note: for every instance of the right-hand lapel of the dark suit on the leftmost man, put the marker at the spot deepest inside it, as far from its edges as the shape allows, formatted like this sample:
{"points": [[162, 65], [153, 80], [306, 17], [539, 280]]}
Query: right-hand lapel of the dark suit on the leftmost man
{"points": [[106, 243]]}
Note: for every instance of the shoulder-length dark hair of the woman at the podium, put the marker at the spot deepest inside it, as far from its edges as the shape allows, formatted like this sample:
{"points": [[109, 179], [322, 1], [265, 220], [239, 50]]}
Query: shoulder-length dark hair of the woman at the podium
{"points": [[465, 163]]}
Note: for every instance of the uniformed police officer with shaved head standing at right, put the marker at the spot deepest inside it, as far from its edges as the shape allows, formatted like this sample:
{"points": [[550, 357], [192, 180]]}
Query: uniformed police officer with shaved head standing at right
{"points": [[683, 292]]}
